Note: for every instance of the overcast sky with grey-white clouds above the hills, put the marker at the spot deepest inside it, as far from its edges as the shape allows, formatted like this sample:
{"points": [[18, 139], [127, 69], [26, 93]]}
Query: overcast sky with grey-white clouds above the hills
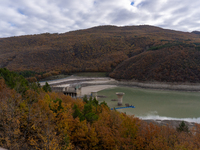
{"points": [[22, 17]]}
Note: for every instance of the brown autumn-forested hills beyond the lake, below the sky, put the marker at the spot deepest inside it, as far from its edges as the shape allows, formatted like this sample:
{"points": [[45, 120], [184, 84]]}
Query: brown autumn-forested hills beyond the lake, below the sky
{"points": [[144, 53]]}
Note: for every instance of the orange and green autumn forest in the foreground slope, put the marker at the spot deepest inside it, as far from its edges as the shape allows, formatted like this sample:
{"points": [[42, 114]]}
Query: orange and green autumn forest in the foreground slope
{"points": [[34, 118]]}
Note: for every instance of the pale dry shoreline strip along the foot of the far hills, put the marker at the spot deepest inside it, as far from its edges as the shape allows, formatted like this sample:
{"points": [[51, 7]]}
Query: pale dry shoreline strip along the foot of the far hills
{"points": [[88, 81]]}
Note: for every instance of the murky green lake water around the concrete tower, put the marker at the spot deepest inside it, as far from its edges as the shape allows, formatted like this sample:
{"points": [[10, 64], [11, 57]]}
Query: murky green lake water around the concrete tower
{"points": [[156, 103]]}
